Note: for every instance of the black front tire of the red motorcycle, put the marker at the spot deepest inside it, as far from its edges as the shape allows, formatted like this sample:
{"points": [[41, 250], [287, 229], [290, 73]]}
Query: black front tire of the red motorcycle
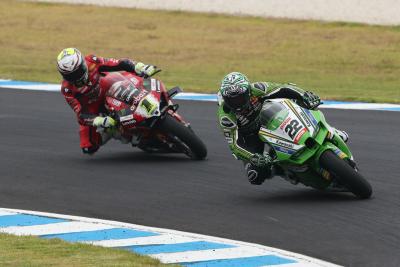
{"points": [[198, 150]]}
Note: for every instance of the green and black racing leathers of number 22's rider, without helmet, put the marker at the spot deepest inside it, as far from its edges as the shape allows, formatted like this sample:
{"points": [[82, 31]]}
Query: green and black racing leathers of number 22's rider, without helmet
{"points": [[241, 129]]}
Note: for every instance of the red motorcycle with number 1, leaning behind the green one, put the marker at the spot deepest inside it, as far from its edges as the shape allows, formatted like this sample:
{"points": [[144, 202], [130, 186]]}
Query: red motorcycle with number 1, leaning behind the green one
{"points": [[147, 117]]}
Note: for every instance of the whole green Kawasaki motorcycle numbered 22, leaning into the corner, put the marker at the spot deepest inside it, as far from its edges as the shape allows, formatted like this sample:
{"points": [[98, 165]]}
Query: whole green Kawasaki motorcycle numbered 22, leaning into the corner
{"points": [[308, 150]]}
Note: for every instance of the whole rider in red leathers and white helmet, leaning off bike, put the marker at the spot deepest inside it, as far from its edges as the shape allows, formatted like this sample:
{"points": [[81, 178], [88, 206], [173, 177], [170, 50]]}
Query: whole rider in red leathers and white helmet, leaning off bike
{"points": [[82, 92]]}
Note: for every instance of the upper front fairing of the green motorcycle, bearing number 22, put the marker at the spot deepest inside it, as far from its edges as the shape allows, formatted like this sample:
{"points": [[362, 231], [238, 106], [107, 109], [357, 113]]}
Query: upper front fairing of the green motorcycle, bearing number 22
{"points": [[296, 134]]}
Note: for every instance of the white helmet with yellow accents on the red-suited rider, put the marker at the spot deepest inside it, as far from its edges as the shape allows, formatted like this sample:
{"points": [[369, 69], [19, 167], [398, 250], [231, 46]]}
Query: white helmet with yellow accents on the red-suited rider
{"points": [[72, 66]]}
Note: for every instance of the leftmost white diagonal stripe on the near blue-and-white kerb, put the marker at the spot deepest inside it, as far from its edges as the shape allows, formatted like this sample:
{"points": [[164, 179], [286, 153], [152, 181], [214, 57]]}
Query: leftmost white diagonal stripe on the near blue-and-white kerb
{"points": [[55, 228]]}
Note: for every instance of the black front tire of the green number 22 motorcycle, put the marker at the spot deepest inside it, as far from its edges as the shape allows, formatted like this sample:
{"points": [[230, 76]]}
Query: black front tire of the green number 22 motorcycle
{"points": [[345, 174]]}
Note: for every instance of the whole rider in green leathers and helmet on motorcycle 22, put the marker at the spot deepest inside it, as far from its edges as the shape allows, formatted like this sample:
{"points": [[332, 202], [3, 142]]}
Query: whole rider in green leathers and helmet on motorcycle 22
{"points": [[240, 104]]}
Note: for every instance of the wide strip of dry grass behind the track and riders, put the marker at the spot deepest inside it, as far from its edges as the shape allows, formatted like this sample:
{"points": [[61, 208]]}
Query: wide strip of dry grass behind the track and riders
{"points": [[344, 61]]}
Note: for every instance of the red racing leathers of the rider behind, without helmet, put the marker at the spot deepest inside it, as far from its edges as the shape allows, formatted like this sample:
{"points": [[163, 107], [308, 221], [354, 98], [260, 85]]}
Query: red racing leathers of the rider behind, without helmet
{"points": [[88, 101]]}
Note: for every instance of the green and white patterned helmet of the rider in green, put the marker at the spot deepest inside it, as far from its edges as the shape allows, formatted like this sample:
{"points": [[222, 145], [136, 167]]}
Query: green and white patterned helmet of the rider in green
{"points": [[235, 90]]}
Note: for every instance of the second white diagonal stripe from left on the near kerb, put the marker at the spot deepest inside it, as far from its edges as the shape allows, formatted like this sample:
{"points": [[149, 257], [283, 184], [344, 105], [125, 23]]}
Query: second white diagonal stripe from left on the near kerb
{"points": [[139, 241]]}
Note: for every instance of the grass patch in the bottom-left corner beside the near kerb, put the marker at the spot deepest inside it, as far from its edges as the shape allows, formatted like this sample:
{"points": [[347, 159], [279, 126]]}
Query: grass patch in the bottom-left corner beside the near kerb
{"points": [[33, 251]]}
